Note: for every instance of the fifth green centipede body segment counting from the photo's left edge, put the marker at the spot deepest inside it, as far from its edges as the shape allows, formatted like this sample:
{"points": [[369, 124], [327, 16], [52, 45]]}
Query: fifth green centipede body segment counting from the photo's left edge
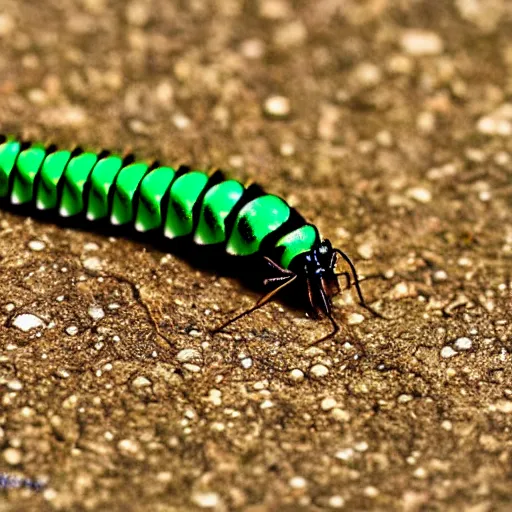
{"points": [[102, 178]]}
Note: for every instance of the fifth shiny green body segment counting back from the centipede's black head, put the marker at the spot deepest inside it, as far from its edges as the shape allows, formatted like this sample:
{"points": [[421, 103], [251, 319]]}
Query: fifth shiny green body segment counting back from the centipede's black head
{"points": [[152, 190]]}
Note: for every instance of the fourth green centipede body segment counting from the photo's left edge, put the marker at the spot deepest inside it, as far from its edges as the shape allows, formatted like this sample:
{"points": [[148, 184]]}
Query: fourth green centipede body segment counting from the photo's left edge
{"points": [[75, 177]]}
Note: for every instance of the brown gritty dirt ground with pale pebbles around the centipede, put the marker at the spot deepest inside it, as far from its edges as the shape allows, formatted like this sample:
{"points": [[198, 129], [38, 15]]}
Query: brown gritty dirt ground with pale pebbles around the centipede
{"points": [[387, 123]]}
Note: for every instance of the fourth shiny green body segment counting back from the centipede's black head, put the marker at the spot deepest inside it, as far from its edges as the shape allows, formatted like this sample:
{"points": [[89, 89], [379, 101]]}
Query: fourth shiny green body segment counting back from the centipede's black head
{"points": [[183, 195]]}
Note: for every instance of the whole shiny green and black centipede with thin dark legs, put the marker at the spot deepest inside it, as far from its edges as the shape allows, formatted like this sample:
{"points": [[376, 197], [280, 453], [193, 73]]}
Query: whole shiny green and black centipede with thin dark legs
{"points": [[207, 208]]}
